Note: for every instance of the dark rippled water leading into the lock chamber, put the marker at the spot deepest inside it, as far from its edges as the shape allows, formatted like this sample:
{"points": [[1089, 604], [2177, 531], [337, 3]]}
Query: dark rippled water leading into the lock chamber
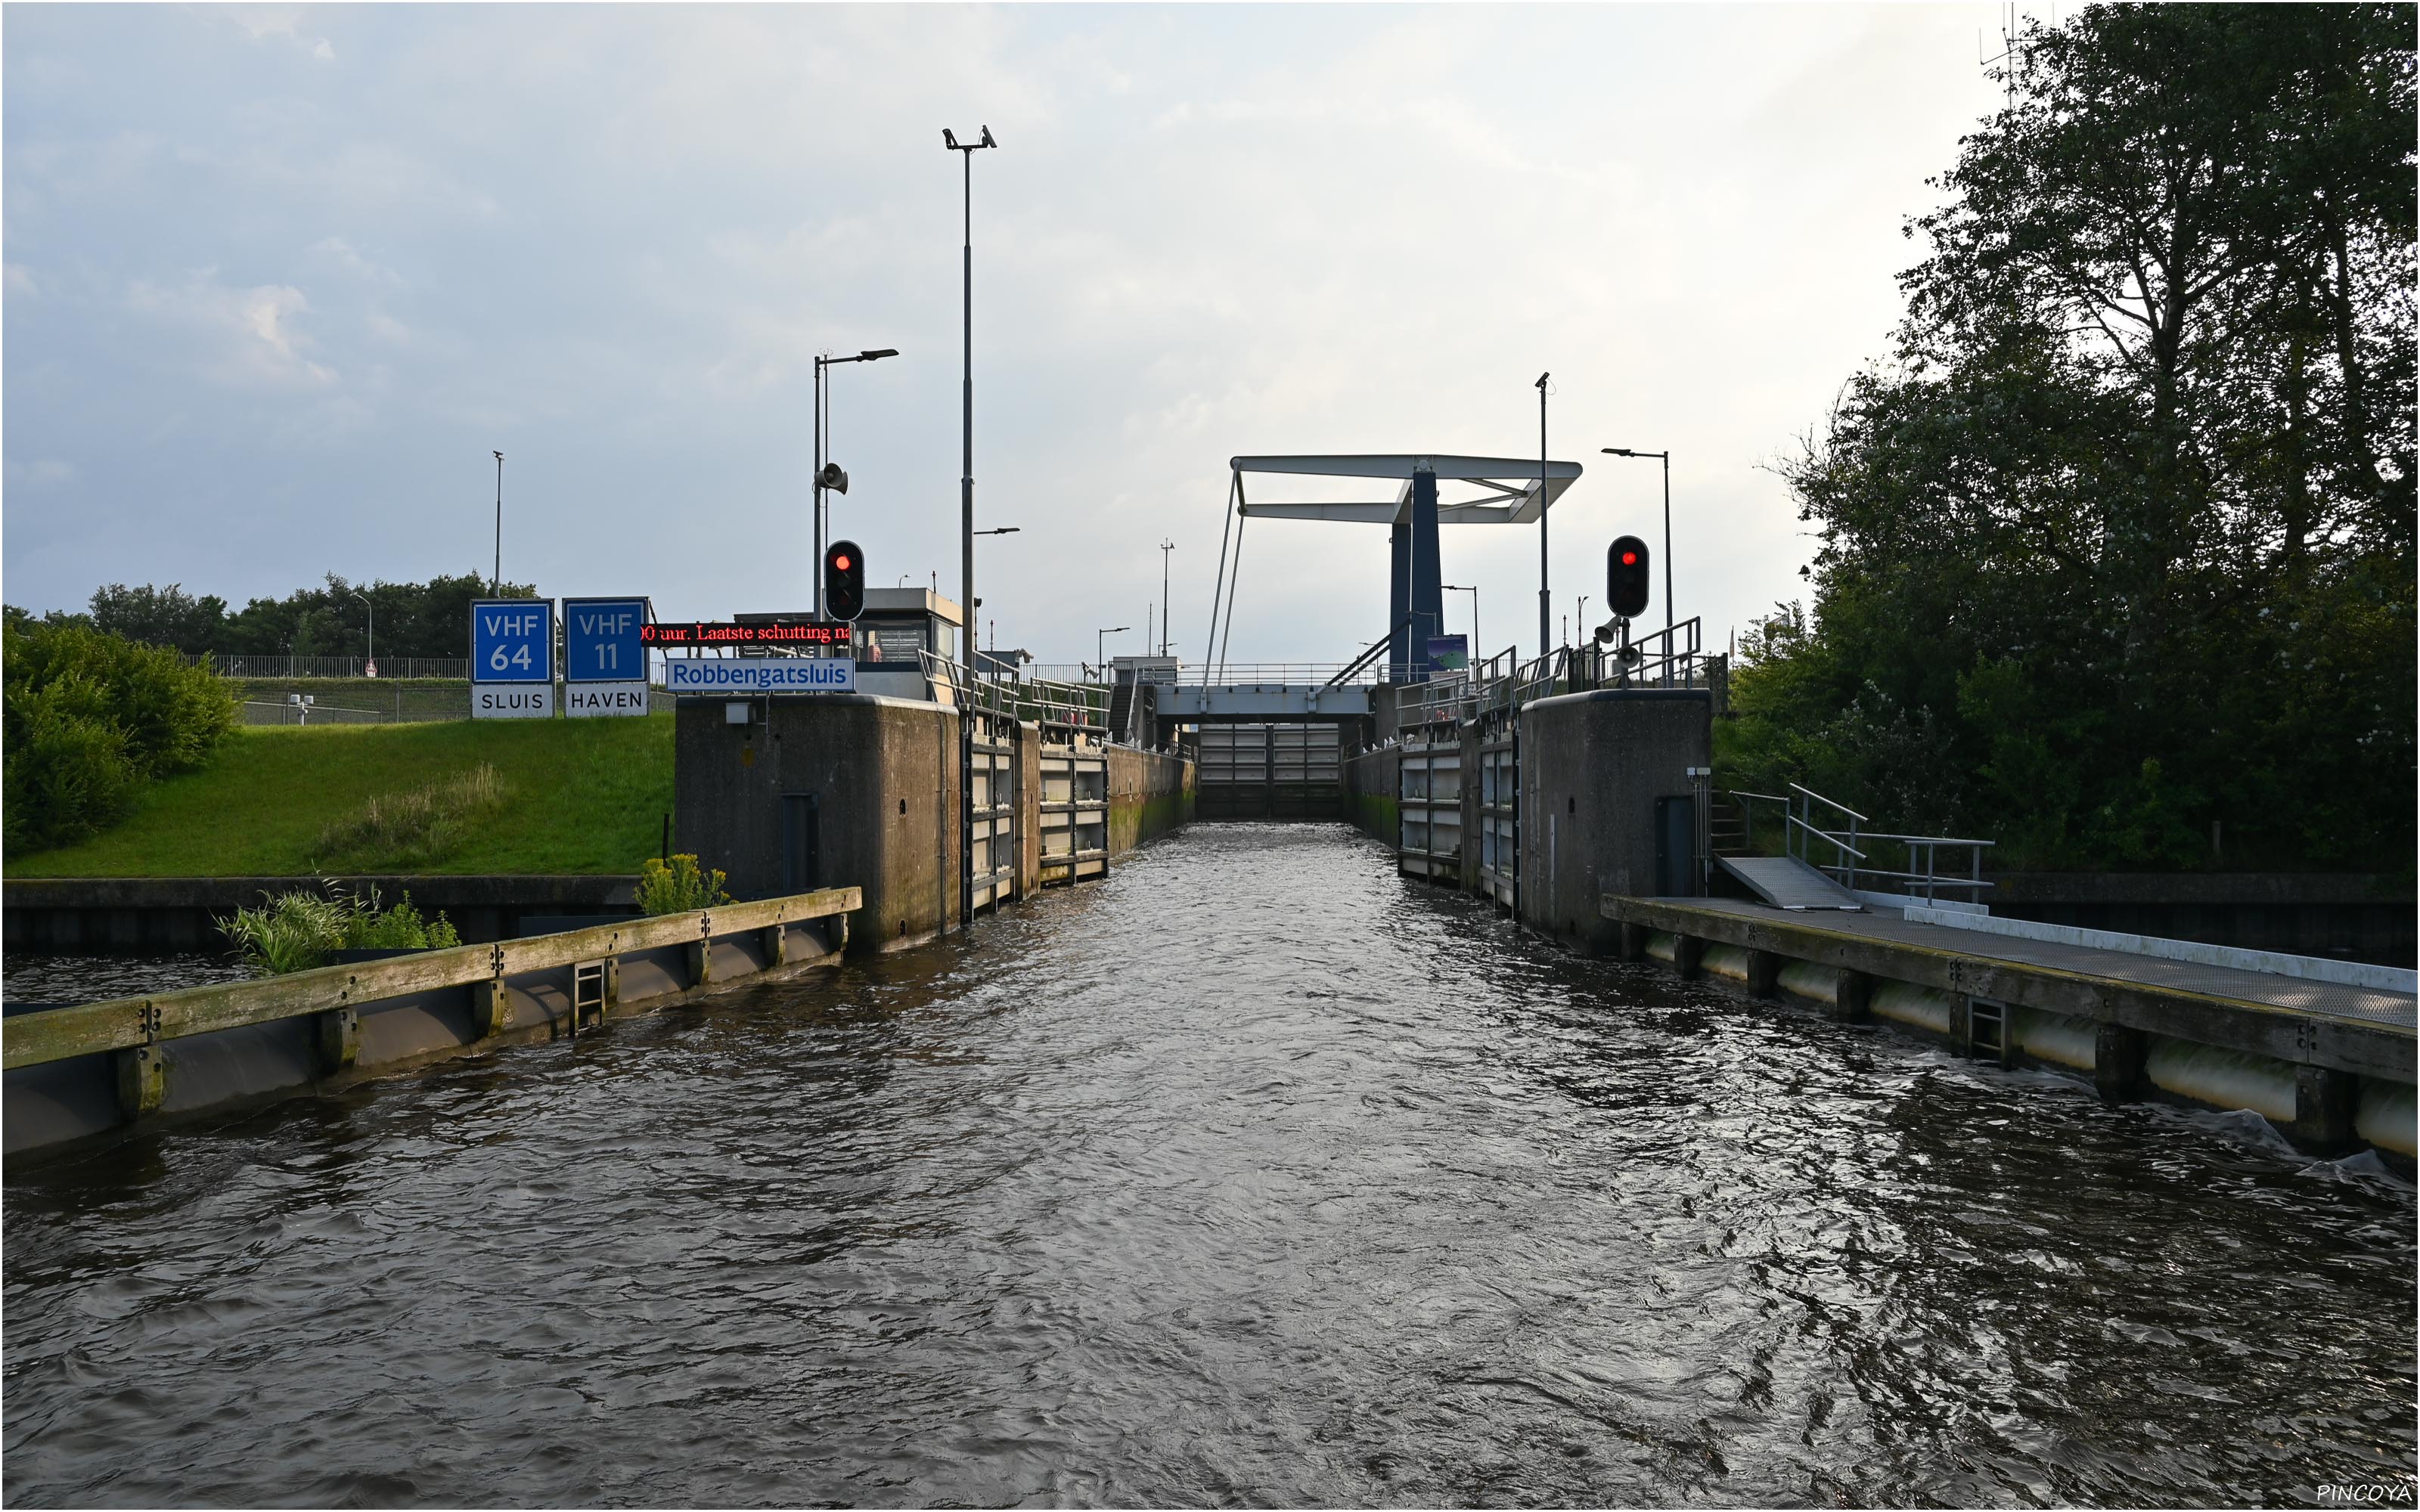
{"points": [[1252, 1175]]}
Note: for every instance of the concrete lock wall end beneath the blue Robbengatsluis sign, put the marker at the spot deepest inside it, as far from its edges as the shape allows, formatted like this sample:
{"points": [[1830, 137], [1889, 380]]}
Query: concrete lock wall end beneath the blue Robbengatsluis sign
{"points": [[885, 785]]}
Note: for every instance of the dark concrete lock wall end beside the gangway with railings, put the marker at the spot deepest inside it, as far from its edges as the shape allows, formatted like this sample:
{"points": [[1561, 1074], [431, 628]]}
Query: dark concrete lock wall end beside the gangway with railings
{"points": [[1591, 768]]}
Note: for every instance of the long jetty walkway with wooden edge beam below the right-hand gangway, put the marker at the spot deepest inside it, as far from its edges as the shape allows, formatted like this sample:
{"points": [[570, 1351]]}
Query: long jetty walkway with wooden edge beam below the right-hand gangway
{"points": [[2291, 1017]]}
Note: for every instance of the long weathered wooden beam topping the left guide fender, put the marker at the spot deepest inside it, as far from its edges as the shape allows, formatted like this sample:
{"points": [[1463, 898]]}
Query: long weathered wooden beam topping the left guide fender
{"points": [[129, 1022]]}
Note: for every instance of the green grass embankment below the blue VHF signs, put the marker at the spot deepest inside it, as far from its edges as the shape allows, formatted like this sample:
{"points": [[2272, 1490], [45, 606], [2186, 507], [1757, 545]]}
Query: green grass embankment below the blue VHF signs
{"points": [[560, 795]]}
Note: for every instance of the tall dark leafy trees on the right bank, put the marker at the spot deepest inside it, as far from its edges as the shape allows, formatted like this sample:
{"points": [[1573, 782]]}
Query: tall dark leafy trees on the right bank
{"points": [[2124, 538]]}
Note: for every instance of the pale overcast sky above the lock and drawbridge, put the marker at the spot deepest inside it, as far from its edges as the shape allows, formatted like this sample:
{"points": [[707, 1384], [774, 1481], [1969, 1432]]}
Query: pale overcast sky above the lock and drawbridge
{"points": [[282, 279]]}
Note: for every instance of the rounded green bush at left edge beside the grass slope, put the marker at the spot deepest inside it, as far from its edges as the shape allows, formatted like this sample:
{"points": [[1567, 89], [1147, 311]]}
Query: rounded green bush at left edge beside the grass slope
{"points": [[91, 720]]}
